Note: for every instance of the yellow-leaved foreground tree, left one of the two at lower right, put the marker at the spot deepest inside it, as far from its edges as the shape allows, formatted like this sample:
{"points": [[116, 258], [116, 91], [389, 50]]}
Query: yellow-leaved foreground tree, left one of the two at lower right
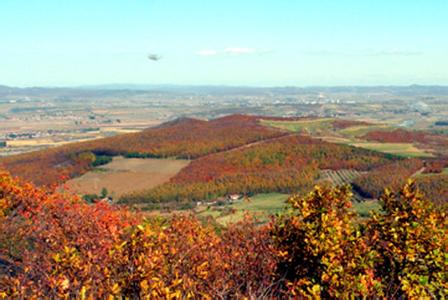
{"points": [[321, 252]]}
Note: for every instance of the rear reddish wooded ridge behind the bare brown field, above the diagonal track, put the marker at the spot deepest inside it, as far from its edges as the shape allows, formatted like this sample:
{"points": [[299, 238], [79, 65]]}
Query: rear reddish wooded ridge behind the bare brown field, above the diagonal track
{"points": [[184, 138]]}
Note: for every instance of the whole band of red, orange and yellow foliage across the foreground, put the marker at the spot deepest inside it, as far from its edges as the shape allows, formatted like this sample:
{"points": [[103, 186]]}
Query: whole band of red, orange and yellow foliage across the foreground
{"points": [[57, 246]]}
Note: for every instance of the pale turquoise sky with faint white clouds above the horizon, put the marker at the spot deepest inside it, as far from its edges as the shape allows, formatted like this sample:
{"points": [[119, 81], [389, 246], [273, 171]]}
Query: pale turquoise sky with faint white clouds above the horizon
{"points": [[231, 42]]}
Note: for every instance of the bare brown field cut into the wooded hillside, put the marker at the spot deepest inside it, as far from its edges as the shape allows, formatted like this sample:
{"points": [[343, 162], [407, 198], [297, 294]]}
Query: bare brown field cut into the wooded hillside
{"points": [[124, 175]]}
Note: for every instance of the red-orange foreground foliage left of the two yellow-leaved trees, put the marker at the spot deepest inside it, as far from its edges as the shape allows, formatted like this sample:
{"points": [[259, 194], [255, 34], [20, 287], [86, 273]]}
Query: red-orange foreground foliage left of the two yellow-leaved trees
{"points": [[58, 246]]}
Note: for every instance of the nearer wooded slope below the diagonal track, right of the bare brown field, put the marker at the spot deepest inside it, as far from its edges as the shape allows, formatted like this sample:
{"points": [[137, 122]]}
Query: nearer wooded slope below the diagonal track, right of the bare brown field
{"points": [[285, 164]]}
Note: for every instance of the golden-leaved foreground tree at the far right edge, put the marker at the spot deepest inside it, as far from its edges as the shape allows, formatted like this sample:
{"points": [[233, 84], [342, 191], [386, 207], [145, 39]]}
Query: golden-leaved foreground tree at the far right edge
{"points": [[409, 240]]}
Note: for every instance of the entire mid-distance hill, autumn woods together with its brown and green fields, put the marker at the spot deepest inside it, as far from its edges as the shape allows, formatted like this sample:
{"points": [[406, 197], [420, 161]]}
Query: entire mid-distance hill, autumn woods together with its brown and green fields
{"points": [[264, 159]]}
